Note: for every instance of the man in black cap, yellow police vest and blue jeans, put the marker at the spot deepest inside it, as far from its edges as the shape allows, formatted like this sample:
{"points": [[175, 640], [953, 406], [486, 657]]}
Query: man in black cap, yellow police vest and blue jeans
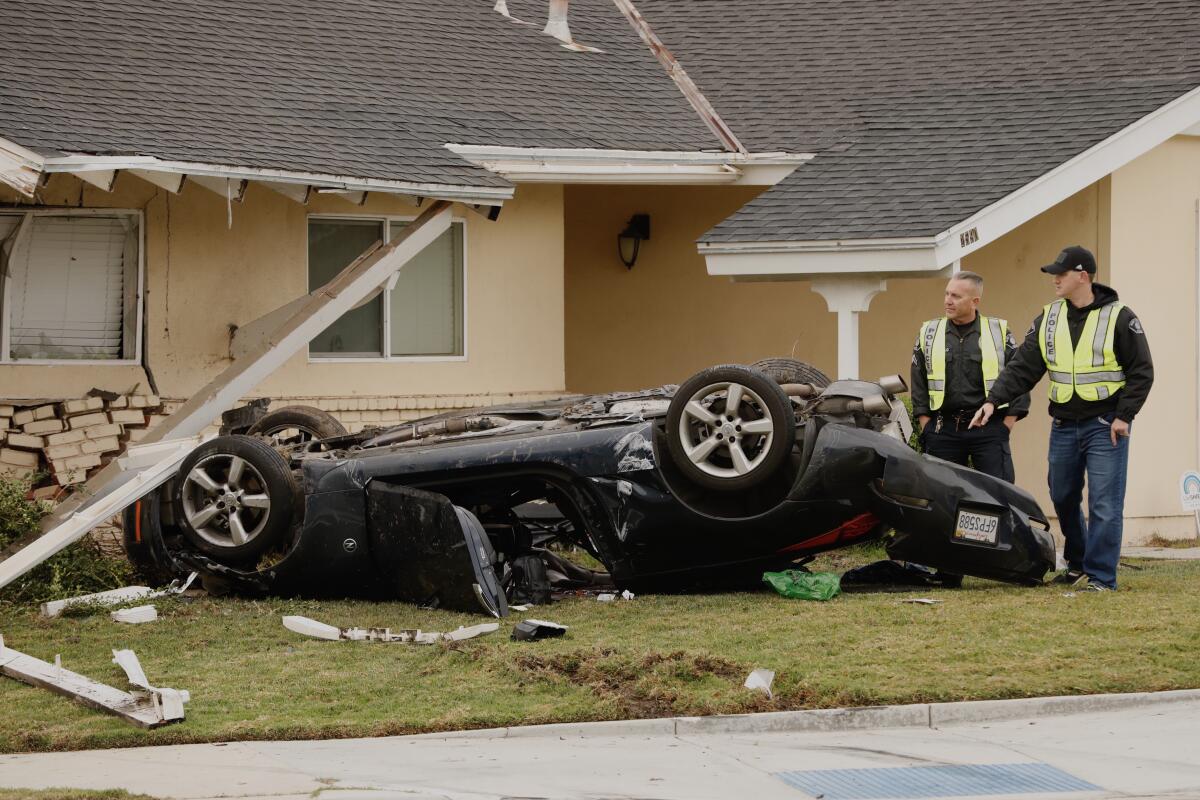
{"points": [[1101, 374]]}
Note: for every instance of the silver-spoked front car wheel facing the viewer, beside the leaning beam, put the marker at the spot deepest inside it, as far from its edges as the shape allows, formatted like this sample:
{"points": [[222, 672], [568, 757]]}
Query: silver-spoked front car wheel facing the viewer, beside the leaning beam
{"points": [[236, 498]]}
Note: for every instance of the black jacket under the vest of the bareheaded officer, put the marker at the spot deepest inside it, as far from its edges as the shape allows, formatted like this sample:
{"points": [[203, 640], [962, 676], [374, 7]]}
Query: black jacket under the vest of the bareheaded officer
{"points": [[964, 374]]}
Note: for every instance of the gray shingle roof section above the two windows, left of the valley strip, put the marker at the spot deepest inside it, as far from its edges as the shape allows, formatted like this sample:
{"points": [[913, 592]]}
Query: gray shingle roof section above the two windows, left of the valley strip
{"points": [[359, 88]]}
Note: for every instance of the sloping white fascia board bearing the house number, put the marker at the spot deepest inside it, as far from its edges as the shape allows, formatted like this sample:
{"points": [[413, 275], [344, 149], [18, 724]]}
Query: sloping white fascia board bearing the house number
{"points": [[1052, 189]]}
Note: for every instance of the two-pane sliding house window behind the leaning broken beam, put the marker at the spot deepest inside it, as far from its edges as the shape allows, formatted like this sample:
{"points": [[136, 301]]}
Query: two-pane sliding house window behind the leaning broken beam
{"points": [[419, 317]]}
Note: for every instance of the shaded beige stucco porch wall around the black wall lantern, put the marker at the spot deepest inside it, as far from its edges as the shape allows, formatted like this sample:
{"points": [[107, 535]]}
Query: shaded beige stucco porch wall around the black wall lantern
{"points": [[668, 318]]}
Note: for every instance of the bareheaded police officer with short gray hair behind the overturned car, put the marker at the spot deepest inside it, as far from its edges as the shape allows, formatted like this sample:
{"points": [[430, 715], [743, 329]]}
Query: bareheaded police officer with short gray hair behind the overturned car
{"points": [[955, 364]]}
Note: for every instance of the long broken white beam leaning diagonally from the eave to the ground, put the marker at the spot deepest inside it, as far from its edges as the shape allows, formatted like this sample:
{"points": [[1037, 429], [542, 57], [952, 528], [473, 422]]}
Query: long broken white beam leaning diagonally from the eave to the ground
{"points": [[104, 497]]}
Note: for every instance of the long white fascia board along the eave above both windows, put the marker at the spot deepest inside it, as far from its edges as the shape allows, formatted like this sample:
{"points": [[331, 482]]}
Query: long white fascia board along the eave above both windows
{"points": [[477, 195]]}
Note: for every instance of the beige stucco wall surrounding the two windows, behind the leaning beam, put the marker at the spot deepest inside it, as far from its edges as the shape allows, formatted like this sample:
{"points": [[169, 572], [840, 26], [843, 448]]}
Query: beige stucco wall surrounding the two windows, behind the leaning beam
{"points": [[203, 278]]}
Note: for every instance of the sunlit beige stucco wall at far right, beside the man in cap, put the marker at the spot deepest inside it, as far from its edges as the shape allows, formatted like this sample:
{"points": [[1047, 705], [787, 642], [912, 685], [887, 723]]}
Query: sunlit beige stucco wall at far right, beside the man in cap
{"points": [[1155, 269]]}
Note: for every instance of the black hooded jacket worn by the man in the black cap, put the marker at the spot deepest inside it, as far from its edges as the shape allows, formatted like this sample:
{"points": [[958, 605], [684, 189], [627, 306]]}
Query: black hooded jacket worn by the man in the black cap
{"points": [[1024, 371]]}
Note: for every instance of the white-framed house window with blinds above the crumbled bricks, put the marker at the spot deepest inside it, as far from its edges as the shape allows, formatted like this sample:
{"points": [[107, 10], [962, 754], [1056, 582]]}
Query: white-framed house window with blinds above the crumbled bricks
{"points": [[70, 286]]}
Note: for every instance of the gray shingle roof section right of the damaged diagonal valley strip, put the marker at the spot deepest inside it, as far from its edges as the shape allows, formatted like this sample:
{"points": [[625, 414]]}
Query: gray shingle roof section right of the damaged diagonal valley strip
{"points": [[921, 112]]}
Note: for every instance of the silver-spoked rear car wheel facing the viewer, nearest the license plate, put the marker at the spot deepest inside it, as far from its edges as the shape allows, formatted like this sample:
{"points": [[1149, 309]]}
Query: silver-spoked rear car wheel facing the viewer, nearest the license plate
{"points": [[730, 428]]}
